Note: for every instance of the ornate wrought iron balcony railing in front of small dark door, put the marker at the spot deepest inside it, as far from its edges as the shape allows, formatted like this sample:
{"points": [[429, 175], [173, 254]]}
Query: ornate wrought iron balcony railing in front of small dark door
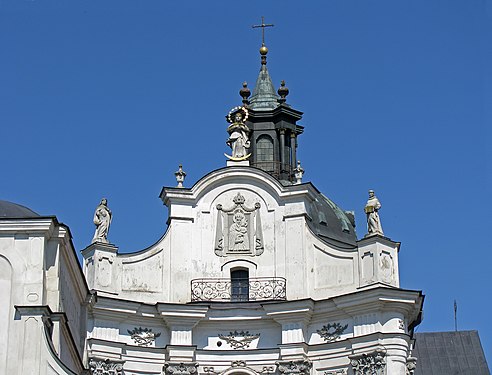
{"points": [[238, 290]]}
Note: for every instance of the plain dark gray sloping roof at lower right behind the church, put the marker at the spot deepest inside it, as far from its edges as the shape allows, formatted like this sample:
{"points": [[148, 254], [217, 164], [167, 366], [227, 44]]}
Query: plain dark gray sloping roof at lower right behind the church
{"points": [[449, 353]]}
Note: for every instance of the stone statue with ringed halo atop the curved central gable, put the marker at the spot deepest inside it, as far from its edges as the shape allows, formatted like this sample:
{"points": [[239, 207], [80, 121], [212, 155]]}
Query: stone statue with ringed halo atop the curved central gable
{"points": [[238, 134]]}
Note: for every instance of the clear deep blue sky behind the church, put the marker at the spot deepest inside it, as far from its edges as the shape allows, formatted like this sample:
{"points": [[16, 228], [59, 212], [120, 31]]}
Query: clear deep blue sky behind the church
{"points": [[106, 98]]}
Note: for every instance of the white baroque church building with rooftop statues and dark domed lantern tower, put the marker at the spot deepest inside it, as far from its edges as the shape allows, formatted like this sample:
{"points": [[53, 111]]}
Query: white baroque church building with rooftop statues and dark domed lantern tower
{"points": [[257, 273]]}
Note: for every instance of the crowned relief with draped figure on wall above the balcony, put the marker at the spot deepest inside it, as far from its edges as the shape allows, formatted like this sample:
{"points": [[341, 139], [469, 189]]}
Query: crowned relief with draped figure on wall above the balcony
{"points": [[238, 229]]}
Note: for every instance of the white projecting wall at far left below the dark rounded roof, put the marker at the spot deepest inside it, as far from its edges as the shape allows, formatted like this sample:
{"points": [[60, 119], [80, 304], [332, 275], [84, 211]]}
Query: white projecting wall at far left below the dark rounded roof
{"points": [[43, 314]]}
